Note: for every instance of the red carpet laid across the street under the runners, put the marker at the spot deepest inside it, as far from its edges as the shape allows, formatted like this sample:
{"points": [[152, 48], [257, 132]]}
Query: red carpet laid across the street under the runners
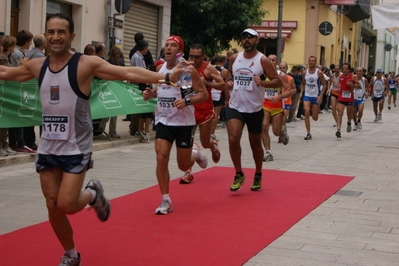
{"points": [[209, 226]]}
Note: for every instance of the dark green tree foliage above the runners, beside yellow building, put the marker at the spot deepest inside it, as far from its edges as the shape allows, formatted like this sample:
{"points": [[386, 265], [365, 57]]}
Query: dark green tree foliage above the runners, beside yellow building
{"points": [[213, 23]]}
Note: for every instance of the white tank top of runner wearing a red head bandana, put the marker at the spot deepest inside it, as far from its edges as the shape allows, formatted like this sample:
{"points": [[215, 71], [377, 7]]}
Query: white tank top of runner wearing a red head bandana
{"points": [[165, 111]]}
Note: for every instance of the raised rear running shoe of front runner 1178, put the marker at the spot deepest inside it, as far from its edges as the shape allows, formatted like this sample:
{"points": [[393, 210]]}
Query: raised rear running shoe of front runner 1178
{"points": [[100, 204]]}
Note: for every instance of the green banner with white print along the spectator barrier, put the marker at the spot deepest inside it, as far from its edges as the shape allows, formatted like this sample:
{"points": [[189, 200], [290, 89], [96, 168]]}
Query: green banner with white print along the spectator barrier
{"points": [[20, 102]]}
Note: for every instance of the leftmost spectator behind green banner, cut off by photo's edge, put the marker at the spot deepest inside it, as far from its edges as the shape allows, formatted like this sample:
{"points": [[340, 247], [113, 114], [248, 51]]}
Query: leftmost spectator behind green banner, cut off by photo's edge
{"points": [[8, 44]]}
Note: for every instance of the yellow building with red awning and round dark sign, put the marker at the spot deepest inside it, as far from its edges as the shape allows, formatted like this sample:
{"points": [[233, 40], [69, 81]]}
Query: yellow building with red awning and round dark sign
{"points": [[312, 27]]}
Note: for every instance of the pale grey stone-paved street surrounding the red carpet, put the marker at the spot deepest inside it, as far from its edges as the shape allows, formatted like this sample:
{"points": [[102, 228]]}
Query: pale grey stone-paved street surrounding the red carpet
{"points": [[359, 225]]}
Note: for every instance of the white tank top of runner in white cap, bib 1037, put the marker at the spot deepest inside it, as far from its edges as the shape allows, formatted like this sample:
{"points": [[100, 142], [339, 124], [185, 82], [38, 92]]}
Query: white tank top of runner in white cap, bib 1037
{"points": [[246, 96]]}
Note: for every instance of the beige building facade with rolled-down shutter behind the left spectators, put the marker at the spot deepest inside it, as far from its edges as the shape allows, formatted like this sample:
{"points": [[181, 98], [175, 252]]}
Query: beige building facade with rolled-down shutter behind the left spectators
{"points": [[94, 20]]}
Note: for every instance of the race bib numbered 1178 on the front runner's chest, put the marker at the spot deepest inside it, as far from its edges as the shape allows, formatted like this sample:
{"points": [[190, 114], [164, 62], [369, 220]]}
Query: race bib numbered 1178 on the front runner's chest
{"points": [[55, 127]]}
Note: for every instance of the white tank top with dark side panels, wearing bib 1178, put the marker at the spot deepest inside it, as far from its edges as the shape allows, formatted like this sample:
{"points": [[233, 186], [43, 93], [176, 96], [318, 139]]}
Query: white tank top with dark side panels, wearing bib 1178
{"points": [[66, 115]]}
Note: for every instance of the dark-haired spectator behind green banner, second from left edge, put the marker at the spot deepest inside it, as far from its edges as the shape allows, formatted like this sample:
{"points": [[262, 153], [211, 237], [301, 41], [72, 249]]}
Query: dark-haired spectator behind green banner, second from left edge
{"points": [[18, 57]]}
